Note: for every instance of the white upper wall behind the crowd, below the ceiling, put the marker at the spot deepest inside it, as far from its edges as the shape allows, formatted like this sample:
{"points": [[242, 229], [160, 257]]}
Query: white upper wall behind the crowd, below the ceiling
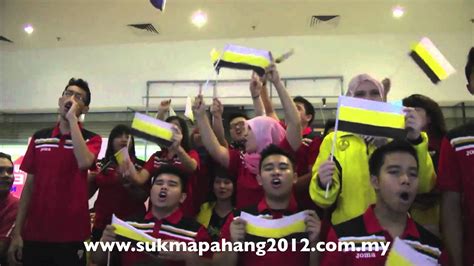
{"points": [[34, 79]]}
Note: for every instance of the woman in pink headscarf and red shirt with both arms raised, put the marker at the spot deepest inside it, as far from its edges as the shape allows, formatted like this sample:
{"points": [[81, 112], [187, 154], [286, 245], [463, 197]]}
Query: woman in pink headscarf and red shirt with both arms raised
{"points": [[262, 131]]}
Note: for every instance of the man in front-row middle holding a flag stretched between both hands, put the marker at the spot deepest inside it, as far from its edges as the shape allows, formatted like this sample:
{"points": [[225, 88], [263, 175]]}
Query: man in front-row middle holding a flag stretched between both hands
{"points": [[277, 177]]}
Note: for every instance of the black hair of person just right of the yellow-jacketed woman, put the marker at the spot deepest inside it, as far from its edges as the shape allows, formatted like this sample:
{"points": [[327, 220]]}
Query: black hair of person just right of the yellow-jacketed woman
{"points": [[437, 127]]}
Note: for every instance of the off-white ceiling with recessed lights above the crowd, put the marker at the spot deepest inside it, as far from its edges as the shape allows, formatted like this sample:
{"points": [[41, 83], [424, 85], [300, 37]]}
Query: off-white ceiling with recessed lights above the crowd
{"points": [[97, 22]]}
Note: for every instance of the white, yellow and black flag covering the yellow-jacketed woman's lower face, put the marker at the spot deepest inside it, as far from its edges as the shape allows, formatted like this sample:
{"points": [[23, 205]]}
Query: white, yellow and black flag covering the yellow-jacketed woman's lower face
{"points": [[370, 118]]}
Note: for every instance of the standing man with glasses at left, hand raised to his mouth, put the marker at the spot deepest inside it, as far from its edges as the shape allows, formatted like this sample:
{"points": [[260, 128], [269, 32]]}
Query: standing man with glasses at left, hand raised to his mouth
{"points": [[53, 217]]}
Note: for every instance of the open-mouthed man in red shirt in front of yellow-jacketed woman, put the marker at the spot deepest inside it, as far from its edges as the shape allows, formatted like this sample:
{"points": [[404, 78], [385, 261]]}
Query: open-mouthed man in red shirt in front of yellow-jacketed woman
{"points": [[394, 176]]}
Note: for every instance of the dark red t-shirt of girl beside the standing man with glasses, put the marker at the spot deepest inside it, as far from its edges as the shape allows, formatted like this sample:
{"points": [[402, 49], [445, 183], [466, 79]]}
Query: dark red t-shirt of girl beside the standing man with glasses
{"points": [[114, 198]]}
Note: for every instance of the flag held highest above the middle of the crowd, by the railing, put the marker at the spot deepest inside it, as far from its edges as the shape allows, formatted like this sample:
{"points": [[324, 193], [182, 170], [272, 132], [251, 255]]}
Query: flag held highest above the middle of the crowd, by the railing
{"points": [[239, 57]]}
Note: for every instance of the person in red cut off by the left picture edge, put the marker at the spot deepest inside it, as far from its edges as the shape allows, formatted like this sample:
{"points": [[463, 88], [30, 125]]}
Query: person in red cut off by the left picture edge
{"points": [[8, 205]]}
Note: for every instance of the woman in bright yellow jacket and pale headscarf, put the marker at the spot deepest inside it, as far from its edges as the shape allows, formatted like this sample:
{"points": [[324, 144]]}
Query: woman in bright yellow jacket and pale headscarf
{"points": [[347, 175]]}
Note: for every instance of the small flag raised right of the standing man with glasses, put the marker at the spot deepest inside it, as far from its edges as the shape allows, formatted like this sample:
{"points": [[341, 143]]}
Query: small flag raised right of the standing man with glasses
{"points": [[151, 129]]}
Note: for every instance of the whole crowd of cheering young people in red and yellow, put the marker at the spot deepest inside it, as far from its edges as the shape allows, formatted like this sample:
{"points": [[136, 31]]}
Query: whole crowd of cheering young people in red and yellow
{"points": [[372, 189]]}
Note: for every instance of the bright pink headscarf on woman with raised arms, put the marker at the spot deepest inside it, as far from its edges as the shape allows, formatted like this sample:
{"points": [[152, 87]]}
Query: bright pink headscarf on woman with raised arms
{"points": [[267, 131]]}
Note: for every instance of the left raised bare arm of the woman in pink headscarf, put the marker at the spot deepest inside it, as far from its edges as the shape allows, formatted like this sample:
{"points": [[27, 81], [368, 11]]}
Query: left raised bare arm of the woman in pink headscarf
{"points": [[218, 153]]}
